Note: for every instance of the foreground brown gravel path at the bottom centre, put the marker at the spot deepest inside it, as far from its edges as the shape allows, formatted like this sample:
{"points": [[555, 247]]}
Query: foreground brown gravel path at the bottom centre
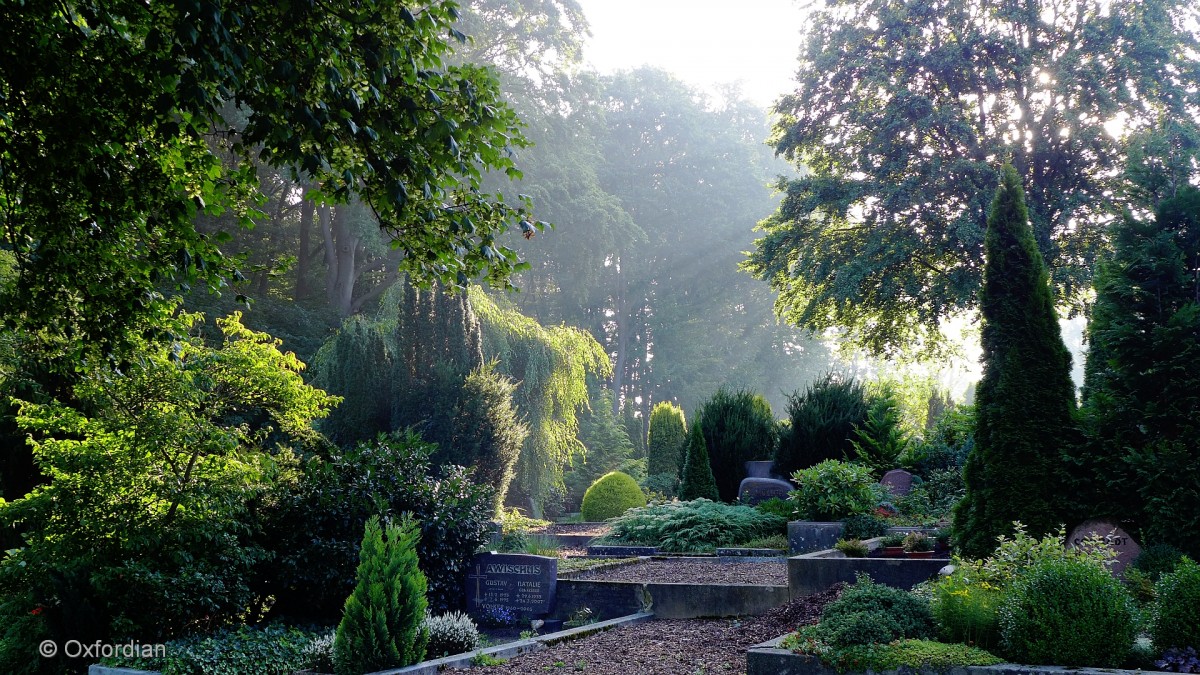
{"points": [[670, 648]]}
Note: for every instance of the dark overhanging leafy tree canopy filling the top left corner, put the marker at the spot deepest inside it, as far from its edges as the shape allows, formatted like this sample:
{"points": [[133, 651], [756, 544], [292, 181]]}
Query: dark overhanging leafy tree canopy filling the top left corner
{"points": [[122, 122]]}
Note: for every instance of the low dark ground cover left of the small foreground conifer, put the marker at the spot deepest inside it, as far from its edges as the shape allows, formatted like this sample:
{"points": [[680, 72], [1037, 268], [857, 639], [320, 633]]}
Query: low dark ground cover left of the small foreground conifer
{"points": [[268, 650]]}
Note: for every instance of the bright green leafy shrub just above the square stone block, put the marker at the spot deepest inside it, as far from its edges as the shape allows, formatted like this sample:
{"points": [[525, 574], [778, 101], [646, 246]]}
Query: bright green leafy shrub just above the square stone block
{"points": [[833, 491]]}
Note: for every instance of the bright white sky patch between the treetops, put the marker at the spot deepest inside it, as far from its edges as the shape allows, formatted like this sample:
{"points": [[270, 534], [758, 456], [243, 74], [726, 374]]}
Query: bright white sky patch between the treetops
{"points": [[704, 43]]}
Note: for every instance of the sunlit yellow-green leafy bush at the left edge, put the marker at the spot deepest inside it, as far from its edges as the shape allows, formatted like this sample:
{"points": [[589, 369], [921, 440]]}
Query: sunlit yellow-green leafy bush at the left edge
{"points": [[147, 524]]}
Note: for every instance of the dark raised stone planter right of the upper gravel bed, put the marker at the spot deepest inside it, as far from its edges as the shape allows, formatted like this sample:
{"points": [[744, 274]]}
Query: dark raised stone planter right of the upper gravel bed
{"points": [[813, 574]]}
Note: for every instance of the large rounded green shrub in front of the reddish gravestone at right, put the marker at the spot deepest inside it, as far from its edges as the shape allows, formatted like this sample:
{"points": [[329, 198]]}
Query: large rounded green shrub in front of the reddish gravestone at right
{"points": [[1070, 613]]}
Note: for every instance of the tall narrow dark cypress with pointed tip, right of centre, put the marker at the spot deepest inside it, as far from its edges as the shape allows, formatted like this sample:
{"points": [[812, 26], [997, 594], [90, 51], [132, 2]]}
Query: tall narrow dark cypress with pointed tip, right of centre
{"points": [[1025, 401]]}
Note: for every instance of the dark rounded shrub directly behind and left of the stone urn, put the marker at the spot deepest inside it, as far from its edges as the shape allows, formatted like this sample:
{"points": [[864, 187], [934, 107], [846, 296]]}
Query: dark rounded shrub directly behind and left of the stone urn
{"points": [[739, 428]]}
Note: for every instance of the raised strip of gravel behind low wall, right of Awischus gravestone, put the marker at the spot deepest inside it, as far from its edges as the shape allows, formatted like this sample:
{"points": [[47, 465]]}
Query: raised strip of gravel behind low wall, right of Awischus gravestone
{"points": [[697, 572]]}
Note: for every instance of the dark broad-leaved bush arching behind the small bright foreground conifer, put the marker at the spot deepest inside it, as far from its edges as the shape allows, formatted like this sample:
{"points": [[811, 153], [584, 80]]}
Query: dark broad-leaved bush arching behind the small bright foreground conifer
{"points": [[311, 519]]}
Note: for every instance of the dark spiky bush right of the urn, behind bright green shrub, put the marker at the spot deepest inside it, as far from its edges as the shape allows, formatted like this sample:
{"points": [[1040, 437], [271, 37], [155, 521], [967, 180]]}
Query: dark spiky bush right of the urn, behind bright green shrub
{"points": [[823, 423]]}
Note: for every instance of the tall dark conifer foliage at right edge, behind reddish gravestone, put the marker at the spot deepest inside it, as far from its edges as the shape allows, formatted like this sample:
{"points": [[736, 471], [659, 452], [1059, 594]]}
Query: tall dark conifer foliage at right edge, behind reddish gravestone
{"points": [[1142, 402]]}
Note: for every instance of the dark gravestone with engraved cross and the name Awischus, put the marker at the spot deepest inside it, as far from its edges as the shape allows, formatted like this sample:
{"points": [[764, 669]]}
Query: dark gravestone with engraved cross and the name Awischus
{"points": [[524, 584]]}
